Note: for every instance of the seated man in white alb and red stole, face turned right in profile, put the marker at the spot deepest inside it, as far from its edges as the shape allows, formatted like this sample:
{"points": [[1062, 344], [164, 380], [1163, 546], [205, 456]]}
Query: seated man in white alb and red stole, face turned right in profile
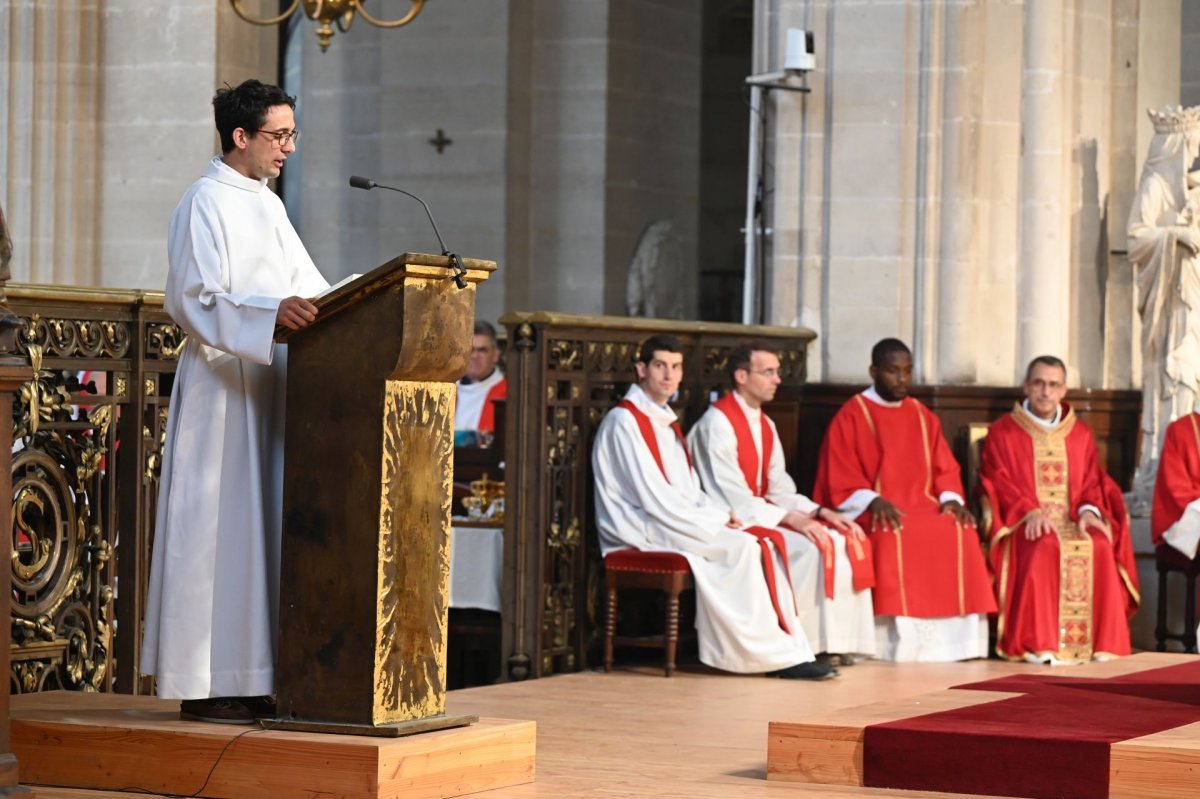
{"points": [[740, 460]]}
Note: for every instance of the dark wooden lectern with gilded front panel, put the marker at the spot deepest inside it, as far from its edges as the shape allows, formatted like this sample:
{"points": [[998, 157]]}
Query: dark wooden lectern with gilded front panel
{"points": [[368, 478]]}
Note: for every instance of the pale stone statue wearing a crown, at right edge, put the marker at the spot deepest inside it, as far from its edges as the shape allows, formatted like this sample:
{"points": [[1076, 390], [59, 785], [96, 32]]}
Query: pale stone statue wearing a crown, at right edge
{"points": [[1165, 242]]}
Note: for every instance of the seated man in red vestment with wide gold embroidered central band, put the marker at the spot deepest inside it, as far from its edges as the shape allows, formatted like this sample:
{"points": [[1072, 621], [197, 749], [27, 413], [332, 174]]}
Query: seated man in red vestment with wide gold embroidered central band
{"points": [[1060, 545]]}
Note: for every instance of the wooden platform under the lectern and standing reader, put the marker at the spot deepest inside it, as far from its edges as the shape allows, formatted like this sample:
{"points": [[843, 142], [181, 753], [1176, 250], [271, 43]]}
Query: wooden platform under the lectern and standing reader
{"points": [[139, 746]]}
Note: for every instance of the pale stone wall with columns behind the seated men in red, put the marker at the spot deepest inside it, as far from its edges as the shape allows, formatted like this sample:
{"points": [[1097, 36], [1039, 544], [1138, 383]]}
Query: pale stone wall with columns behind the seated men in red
{"points": [[959, 177]]}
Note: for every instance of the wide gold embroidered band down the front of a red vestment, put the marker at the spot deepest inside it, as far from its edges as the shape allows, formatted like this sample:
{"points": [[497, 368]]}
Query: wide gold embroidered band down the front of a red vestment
{"points": [[1076, 561]]}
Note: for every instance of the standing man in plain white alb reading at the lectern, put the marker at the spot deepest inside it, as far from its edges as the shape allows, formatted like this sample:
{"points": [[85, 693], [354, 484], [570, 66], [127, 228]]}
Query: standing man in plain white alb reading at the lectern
{"points": [[238, 269]]}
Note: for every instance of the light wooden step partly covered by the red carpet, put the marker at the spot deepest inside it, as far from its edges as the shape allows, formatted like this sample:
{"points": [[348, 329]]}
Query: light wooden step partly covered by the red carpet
{"points": [[827, 749]]}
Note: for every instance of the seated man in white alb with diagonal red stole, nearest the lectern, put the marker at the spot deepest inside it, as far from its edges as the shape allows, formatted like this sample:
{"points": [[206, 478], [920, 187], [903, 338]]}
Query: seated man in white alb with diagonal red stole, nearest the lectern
{"points": [[649, 498]]}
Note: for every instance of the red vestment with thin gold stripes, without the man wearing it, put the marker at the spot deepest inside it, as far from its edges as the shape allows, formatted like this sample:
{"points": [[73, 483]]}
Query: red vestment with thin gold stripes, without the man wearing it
{"points": [[933, 568]]}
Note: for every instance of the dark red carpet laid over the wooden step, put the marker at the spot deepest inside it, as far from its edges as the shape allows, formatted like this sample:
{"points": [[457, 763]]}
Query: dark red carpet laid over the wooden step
{"points": [[1053, 743]]}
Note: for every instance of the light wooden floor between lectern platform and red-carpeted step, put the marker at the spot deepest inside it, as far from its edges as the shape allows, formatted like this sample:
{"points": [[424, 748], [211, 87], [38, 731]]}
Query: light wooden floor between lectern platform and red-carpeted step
{"points": [[635, 735]]}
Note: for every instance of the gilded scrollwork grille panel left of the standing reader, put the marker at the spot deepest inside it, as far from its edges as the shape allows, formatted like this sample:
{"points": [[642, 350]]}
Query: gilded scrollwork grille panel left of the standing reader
{"points": [[61, 632]]}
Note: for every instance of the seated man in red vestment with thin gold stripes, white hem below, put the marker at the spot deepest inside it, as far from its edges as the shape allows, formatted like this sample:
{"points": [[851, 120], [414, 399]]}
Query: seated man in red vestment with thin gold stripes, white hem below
{"points": [[886, 464]]}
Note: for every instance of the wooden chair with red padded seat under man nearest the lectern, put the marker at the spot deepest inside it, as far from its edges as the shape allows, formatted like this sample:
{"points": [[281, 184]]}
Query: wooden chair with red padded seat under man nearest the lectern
{"points": [[665, 572]]}
